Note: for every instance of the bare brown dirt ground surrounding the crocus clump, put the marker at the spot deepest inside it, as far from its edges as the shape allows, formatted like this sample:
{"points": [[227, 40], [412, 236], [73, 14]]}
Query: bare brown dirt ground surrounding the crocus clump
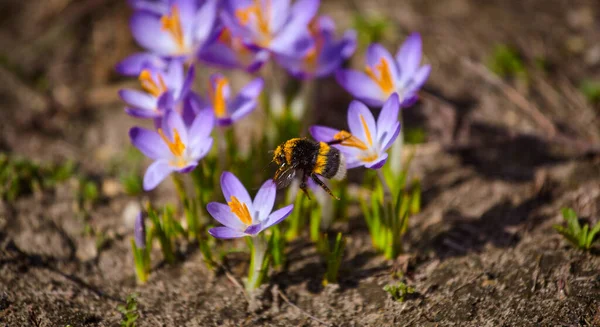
{"points": [[501, 159]]}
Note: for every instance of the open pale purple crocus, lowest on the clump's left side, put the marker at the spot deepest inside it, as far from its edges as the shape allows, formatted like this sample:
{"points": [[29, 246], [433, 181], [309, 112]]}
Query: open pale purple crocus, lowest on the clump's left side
{"points": [[174, 147]]}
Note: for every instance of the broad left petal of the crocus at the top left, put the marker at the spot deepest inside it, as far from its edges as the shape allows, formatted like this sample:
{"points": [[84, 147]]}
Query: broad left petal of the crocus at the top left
{"points": [[146, 29]]}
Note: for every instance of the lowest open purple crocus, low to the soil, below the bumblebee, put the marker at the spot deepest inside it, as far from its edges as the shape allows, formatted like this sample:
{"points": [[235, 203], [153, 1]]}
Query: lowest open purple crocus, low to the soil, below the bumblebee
{"points": [[241, 216]]}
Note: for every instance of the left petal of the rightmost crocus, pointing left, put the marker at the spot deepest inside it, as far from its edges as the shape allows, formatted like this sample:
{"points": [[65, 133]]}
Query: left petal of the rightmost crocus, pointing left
{"points": [[361, 86]]}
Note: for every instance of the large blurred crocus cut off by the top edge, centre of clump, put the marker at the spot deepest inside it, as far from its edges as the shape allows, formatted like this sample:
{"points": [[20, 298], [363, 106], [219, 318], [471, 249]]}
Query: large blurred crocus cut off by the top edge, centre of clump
{"points": [[273, 25]]}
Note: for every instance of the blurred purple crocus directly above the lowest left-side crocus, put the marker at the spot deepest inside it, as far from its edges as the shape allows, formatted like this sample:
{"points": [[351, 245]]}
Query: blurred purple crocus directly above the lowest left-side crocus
{"points": [[163, 89]]}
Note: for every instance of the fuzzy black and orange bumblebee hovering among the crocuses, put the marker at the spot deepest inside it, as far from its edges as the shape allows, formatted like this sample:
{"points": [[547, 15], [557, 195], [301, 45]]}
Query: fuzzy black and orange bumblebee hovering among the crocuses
{"points": [[310, 158]]}
